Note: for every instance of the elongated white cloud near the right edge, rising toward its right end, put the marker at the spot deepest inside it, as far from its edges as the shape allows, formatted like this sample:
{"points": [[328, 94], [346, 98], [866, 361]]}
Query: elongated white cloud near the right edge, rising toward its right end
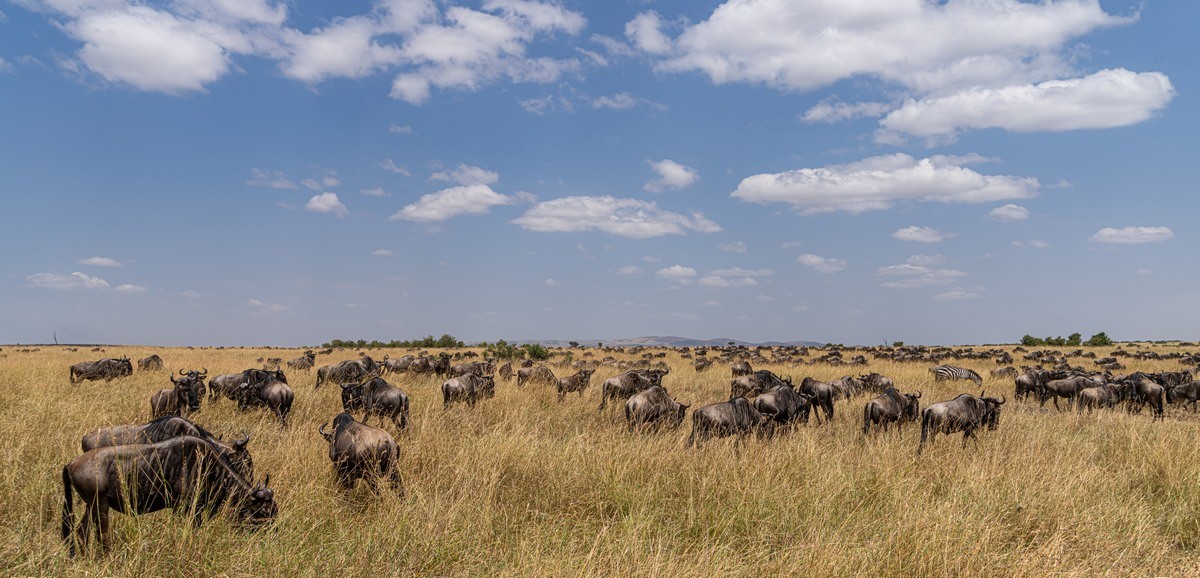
{"points": [[1106, 100]]}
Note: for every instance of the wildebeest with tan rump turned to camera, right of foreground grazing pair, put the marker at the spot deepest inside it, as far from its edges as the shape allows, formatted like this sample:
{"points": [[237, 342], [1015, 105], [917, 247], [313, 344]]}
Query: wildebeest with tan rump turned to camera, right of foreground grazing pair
{"points": [[363, 453]]}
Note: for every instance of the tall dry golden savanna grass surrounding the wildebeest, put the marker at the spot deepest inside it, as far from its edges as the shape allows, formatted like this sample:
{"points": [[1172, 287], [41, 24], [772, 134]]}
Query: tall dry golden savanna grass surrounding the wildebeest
{"points": [[524, 486]]}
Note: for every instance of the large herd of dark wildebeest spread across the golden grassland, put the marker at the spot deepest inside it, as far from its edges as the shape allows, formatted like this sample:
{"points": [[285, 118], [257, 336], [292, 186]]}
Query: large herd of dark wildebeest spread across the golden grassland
{"points": [[175, 463]]}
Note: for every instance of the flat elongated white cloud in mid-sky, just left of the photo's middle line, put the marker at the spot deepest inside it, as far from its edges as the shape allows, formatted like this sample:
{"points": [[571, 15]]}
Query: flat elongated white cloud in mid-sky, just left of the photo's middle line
{"points": [[623, 218]]}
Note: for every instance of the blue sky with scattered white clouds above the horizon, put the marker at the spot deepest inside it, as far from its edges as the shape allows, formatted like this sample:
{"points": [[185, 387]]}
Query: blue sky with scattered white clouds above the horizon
{"points": [[255, 172]]}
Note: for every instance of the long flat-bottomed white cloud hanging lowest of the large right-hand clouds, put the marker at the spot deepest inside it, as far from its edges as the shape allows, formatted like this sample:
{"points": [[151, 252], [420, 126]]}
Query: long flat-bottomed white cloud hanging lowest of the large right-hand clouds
{"points": [[878, 183]]}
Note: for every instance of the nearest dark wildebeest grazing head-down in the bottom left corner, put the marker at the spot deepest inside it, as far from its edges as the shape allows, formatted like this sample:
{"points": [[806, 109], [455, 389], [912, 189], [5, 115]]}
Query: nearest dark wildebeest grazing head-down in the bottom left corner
{"points": [[185, 474]]}
